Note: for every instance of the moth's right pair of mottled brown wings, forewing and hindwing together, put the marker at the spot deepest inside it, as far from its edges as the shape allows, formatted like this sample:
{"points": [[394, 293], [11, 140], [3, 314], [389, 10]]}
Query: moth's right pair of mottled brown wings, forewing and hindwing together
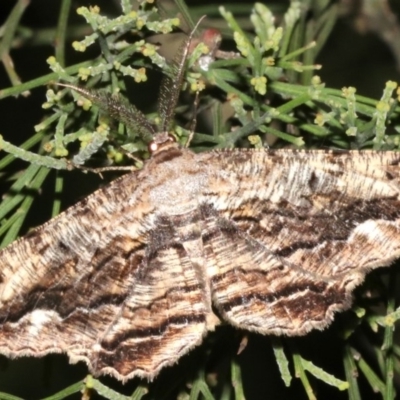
{"points": [[303, 238]]}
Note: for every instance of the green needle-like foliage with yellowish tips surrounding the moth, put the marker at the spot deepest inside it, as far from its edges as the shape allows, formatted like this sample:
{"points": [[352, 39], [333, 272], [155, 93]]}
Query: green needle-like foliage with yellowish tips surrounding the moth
{"points": [[273, 97]]}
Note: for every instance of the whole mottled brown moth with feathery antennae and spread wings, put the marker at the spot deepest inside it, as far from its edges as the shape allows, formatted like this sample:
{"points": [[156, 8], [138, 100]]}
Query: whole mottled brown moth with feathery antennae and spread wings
{"points": [[135, 275]]}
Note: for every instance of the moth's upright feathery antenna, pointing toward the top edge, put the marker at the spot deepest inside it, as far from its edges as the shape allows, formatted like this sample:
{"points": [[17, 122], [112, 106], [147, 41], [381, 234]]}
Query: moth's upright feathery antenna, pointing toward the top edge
{"points": [[171, 86]]}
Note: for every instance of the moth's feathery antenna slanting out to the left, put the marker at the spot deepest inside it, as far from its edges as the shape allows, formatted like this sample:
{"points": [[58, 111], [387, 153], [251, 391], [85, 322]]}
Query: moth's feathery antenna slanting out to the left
{"points": [[118, 108]]}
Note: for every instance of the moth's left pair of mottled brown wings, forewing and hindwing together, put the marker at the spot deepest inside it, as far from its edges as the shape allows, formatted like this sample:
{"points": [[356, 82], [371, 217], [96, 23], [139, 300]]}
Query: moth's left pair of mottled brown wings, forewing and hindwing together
{"points": [[112, 281]]}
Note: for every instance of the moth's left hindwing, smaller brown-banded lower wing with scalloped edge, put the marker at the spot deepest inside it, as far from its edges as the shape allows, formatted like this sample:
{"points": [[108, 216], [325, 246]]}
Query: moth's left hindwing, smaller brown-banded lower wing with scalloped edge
{"points": [[165, 315]]}
